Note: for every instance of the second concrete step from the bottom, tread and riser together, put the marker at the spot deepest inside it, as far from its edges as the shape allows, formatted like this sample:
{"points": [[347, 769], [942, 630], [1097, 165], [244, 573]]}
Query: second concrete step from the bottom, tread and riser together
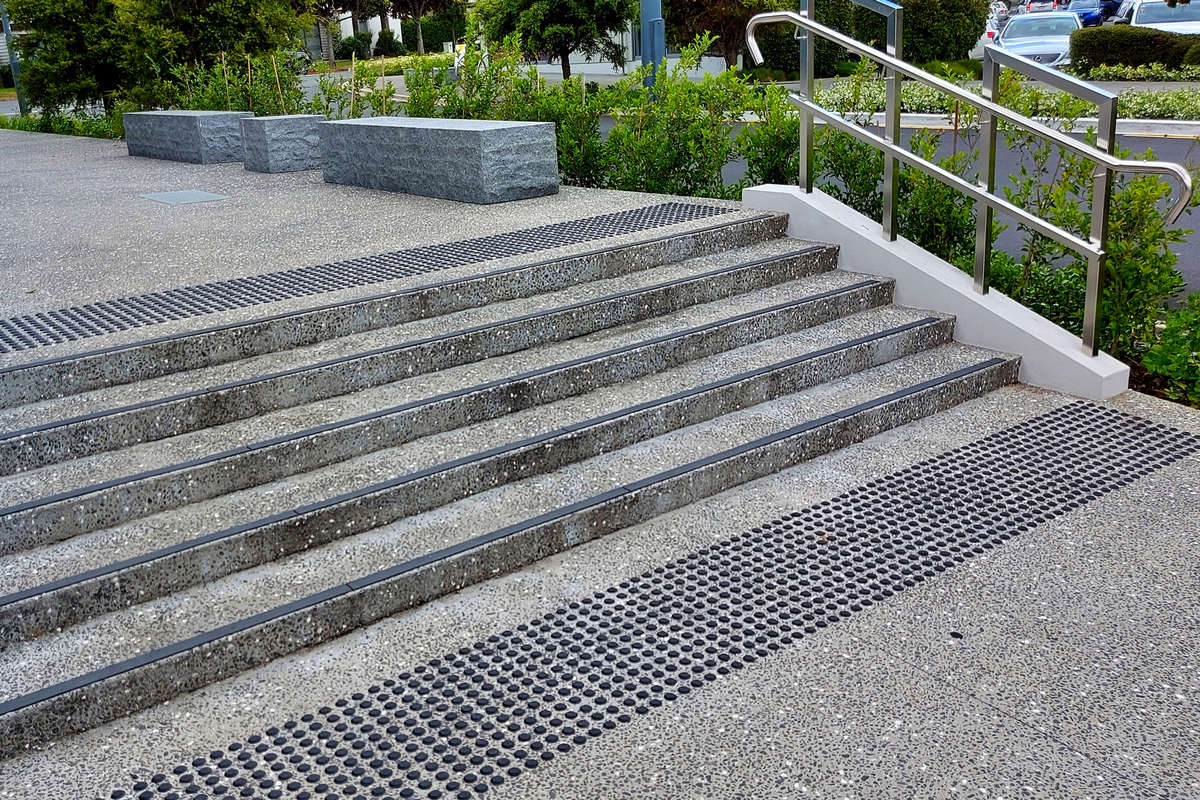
{"points": [[59, 586]]}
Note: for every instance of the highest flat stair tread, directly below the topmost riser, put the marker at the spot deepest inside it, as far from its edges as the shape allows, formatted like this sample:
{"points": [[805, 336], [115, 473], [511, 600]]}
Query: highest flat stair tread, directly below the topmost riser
{"points": [[257, 366]]}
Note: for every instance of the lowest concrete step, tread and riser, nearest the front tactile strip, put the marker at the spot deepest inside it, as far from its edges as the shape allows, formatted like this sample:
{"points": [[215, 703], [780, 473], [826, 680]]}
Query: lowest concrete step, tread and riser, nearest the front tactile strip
{"points": [[461, 544]]}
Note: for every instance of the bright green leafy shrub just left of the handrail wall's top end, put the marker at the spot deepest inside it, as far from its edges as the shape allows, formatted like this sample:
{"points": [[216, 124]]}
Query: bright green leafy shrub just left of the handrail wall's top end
{"points": [[679, 142]]}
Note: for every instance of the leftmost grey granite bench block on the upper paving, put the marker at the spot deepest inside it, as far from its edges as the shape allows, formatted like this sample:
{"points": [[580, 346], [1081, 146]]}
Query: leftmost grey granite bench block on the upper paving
{"points": [[195, 137]]}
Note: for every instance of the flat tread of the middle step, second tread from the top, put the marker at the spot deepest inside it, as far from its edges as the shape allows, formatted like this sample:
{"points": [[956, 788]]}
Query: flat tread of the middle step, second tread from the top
{"points": [[53, 479]]}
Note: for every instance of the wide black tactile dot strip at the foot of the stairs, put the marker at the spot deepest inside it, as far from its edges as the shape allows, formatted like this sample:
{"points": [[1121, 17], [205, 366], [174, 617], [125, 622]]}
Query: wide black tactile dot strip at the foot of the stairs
{"points": [[479, 717]]}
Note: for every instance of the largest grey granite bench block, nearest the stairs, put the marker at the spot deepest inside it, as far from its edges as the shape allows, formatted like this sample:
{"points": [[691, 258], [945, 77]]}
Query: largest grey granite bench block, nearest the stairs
{"points": [[476, 161]]}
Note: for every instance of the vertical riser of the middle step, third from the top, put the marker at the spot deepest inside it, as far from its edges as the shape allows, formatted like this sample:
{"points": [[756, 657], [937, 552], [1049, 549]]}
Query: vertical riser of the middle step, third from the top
{"points": [[53, 522]]}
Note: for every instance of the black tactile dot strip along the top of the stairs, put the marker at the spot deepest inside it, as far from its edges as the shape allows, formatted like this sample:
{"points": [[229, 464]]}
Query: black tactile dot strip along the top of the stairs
{"points": [[112, 316]]}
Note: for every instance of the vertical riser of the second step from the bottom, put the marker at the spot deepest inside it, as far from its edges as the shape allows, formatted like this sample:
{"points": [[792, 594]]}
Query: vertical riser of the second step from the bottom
{"points": [[241, 551]]}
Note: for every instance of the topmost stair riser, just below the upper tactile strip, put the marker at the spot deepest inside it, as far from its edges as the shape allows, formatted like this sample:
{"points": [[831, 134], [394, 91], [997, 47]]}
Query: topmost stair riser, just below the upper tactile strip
{"points": [[64, 377]]}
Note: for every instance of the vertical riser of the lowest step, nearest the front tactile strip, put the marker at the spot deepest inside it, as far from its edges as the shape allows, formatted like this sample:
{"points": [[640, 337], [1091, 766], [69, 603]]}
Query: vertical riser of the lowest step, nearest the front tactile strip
{"points": [[359, 604]]}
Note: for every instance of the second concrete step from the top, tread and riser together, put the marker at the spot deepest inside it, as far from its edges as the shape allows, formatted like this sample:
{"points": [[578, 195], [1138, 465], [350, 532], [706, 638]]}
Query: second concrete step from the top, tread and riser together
{"points": [[56, 431]]}
